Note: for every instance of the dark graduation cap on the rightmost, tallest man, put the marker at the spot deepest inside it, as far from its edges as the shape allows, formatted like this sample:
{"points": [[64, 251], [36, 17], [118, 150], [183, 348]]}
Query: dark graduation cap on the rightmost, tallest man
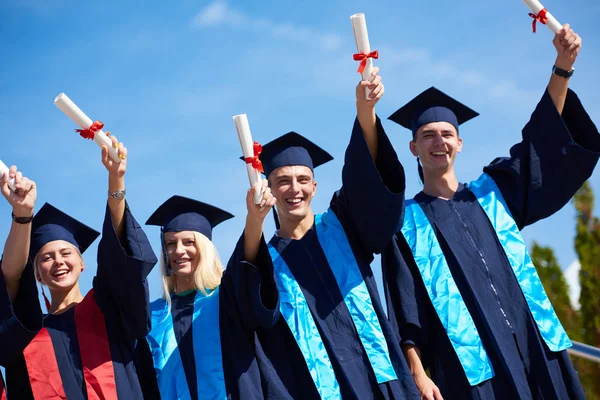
{"points": [[432, 105]]}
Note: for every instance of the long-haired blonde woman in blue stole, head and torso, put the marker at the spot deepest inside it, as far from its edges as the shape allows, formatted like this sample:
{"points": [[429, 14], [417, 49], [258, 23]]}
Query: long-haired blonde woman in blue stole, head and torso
{"points": [[184, 346]]}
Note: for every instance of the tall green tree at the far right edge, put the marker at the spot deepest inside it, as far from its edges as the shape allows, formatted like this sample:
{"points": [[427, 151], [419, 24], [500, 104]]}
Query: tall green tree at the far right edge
{"points": [[587, 246]]}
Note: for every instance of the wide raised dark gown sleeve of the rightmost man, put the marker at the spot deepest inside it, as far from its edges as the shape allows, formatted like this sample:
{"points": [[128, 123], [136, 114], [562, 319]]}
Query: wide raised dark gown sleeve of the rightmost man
{"points": [[556, 156]]}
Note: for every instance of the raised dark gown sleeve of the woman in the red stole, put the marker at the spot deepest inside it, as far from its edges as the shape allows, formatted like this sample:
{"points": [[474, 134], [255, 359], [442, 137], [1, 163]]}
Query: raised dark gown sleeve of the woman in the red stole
{"points": [[120, 285]]}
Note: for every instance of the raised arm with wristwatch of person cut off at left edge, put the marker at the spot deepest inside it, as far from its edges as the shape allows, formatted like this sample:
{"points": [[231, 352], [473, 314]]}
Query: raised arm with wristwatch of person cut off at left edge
{"points": [[17, 328]]}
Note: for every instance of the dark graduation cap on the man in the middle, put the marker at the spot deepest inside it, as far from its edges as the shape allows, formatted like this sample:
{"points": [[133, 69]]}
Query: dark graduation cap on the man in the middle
{"points": [[292, 149]]}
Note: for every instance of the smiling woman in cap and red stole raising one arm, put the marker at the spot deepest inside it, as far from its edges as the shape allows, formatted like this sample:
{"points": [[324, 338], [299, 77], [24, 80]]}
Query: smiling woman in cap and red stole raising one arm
{"points": [[85, 349]]}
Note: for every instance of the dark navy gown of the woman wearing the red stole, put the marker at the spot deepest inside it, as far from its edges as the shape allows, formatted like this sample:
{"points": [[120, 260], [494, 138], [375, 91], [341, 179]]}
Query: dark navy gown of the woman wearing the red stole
{"points": [[121, 293]]}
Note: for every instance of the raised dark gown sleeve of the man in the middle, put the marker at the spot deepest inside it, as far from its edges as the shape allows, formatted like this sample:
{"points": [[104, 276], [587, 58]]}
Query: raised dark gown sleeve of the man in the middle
{"points": [[372, 195]]}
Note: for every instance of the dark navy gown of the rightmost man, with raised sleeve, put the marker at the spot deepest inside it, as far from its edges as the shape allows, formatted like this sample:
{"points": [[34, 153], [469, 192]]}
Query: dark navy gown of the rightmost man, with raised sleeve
{"points": [[542, 173]]}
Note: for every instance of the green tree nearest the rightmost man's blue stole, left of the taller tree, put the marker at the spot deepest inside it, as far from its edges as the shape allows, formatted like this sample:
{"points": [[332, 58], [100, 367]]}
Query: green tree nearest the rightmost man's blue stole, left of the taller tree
{"points": [[557, 288]]}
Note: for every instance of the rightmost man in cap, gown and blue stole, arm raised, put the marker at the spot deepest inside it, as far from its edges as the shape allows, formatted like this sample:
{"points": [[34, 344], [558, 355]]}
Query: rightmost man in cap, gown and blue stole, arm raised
{"points": [[461, 287]]}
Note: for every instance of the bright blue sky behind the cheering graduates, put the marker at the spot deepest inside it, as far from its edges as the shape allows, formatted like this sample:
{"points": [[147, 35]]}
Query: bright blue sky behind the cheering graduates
{"points": [[167, 76]]}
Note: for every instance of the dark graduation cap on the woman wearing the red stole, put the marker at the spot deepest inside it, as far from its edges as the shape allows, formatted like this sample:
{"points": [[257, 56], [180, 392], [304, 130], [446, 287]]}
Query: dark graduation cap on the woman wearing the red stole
{"points": [[50, 224]]}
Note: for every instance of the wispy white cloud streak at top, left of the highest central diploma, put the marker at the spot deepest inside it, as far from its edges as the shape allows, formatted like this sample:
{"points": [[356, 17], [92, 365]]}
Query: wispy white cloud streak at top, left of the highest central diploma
{"points": [[220, 13]]}
